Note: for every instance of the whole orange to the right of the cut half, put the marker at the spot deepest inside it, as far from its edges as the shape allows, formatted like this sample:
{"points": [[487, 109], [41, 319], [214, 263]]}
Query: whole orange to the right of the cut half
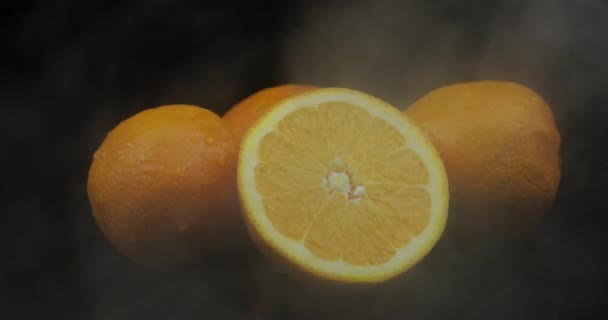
{"points": [[500, 146]]}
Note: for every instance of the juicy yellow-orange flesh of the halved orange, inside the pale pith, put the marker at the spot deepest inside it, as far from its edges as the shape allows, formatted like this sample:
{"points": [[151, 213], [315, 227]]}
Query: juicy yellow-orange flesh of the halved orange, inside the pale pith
{"points": [[343, 183]]}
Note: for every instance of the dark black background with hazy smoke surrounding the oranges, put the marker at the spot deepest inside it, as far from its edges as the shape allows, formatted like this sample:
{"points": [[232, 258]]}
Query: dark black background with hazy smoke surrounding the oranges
{"points": [[71, 70]]}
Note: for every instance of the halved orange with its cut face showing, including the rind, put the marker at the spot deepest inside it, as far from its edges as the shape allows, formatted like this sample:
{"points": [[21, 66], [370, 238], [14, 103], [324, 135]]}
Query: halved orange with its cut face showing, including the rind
{"points": [[341, 185]]}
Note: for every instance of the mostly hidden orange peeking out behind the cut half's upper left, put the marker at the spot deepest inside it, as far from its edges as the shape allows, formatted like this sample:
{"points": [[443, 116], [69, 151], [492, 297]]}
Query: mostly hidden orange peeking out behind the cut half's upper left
{"points": [[242, 115]]}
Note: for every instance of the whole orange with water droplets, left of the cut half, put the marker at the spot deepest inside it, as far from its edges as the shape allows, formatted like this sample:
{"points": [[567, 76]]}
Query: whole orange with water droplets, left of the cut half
{"points": [[162, 184]]}
